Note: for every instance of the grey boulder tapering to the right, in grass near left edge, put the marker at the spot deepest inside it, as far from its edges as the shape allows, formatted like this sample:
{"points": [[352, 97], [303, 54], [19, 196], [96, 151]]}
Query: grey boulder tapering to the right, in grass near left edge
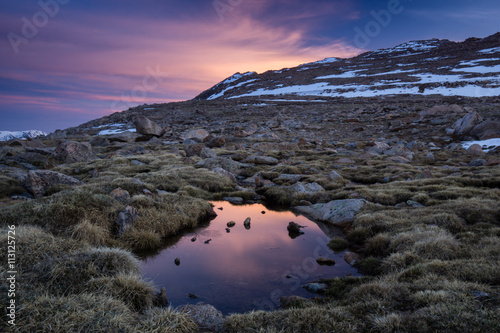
{"points": [[39, 181]]}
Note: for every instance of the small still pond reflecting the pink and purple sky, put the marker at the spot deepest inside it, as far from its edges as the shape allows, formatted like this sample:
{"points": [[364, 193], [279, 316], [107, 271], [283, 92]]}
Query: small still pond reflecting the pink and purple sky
{"points": [[241, 269]]}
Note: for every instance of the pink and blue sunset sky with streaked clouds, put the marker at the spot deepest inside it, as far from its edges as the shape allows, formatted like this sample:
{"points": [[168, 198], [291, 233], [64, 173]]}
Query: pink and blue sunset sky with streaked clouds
{"points": [[65, 62]]}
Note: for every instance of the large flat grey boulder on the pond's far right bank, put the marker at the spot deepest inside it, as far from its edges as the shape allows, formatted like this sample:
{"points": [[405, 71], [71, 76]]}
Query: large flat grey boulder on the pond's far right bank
{"points": [[340, 213]]}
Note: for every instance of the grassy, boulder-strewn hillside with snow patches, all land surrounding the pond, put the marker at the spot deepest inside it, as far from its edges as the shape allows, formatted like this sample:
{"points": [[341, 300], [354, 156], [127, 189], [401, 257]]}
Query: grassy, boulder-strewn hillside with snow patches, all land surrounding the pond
{"points": [[418, 173]]}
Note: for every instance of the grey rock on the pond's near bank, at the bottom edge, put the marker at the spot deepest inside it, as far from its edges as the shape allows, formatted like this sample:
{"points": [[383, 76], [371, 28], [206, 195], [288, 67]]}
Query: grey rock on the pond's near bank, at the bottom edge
{"points": [[206, 316]]}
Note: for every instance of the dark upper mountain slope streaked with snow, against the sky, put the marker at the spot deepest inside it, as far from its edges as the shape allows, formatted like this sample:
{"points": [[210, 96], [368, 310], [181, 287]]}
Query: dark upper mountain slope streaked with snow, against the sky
{"points": [[470, 68]]}
